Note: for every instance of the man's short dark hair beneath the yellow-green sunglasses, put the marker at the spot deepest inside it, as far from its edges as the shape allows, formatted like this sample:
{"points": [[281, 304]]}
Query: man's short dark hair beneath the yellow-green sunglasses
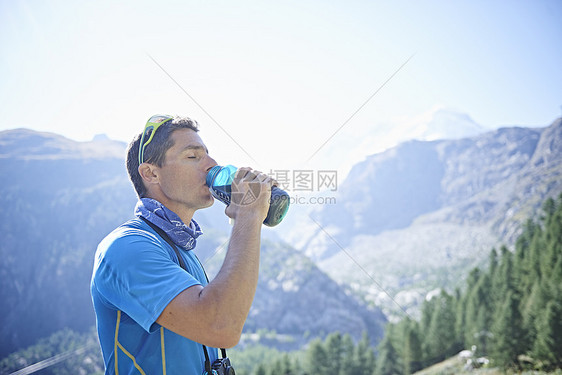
{"points": [[155, 151]]}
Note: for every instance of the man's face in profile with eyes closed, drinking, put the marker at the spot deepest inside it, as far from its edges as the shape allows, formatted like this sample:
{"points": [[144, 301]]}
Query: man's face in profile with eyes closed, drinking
{"points": [[183, 173]]}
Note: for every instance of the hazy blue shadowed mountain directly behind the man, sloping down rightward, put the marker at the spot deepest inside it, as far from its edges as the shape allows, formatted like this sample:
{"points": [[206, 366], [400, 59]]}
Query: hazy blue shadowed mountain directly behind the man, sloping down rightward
{"points": [[60, 198]]}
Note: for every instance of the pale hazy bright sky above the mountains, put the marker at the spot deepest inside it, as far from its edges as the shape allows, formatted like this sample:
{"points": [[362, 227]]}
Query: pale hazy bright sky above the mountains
{"points": [[279, 77]]}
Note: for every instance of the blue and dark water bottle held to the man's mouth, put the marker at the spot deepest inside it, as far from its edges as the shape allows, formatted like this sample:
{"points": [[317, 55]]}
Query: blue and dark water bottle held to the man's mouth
{"points": [[219, 180]]}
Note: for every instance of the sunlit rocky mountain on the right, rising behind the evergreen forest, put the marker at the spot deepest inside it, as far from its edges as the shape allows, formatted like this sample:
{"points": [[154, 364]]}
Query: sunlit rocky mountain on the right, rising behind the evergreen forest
{"points": [[418, 216]]}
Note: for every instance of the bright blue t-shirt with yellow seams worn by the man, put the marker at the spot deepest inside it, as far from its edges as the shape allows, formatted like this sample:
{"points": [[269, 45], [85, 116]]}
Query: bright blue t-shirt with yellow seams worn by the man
{"points": [[136, 275]]}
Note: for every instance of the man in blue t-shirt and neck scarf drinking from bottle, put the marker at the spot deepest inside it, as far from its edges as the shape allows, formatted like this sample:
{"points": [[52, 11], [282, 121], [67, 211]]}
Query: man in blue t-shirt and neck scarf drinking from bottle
{"points": [[153, 316]]}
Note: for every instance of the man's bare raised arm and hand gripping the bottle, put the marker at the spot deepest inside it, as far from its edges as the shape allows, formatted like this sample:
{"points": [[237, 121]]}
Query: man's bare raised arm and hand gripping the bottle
{"points": [[214, 315]]}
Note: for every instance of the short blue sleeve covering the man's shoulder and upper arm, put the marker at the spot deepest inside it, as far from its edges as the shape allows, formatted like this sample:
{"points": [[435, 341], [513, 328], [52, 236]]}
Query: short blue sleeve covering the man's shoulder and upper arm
{"points": [[136, 274]]}
